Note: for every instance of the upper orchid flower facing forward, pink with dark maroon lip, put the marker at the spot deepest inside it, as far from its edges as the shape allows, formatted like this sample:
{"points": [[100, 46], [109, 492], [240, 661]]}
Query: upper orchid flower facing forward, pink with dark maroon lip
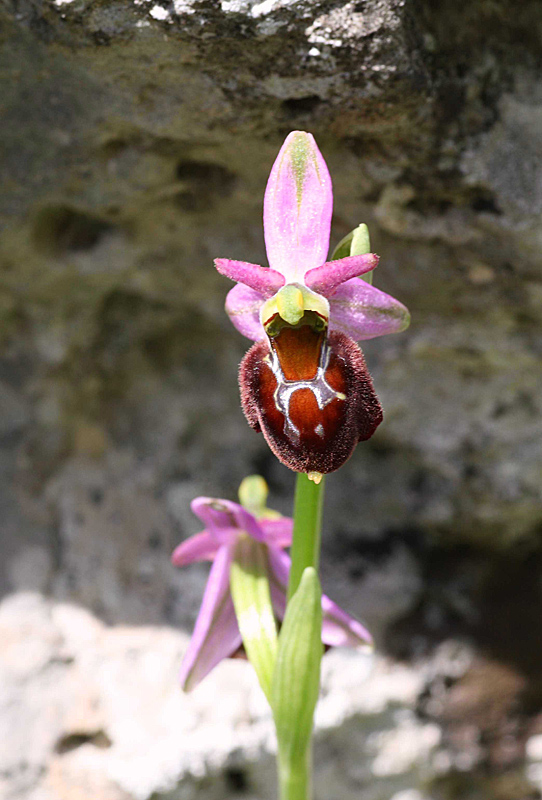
{"points": [[304, 383]]}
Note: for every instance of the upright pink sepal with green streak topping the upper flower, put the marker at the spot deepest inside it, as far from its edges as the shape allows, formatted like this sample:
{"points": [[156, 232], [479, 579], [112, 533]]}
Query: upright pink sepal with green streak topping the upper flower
{"points": [[297, 208]]}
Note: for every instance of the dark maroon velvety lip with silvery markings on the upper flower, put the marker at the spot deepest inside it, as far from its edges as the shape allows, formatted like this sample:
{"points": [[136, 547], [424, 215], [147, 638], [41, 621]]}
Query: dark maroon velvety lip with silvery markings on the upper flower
{"points": [[311, 396]]}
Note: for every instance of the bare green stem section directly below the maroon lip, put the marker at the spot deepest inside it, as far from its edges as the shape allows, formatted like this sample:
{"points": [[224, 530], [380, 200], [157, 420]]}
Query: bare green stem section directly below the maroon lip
{"points": [[308, 507]]}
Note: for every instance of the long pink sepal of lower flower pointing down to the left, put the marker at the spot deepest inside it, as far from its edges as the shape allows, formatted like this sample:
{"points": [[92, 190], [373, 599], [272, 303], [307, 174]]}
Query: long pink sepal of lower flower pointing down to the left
{"points": [[216, 634]]}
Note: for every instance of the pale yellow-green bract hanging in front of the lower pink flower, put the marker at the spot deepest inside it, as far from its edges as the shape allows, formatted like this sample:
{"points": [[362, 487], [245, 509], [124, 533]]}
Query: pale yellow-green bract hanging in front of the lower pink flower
{"points": [[252, 601]]}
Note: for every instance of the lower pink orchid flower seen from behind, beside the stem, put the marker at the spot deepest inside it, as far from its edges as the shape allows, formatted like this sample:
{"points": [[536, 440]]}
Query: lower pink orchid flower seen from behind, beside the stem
{"points": [[216, 633]]}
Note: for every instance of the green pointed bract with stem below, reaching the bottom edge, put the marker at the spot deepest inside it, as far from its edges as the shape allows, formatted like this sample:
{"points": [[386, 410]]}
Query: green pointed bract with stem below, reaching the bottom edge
{"points": [[295, 686]]}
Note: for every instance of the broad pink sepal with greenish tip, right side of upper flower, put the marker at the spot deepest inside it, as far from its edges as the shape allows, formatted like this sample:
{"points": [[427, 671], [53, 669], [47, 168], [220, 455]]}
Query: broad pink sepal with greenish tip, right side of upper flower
{"points": [[364, 312]]}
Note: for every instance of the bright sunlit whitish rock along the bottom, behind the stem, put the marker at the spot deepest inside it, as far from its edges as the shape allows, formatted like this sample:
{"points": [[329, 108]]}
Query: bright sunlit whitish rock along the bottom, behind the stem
{"points": [[95, 711]]}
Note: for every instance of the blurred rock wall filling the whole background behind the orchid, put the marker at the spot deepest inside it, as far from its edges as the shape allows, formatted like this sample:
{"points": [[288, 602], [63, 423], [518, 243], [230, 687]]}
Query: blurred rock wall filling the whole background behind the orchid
{"points": [[135, 144]]}
